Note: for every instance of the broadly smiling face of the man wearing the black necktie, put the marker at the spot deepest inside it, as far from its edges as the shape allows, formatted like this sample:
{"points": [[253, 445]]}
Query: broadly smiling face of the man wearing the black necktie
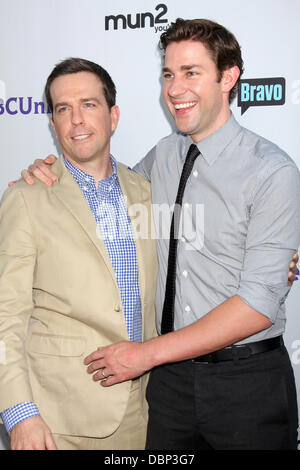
{"points": [[195, 96]]}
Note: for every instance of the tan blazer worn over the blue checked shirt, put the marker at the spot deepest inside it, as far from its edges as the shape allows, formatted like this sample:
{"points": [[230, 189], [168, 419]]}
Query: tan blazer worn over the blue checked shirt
{"points": [[59, 301]]}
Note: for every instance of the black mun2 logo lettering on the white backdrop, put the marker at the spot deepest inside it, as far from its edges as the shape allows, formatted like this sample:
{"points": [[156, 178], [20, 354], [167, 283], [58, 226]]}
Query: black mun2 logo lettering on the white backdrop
{"points": [[139, 20]]}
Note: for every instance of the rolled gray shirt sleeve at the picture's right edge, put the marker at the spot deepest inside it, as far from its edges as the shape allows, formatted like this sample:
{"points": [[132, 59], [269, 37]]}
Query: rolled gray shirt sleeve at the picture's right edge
{"points": [[273, 237]]}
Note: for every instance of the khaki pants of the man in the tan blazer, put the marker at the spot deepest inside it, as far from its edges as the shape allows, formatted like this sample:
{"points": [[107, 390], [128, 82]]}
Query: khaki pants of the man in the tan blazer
{"points": [[130, 435]]}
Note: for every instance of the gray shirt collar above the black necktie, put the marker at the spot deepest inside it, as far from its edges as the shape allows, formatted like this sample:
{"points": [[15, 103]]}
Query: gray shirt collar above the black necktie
{"points": [[212, 147]]}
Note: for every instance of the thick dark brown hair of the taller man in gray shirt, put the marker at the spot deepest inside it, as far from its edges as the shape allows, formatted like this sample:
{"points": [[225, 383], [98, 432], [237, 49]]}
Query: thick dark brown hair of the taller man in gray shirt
{"points": [[223, 47]]}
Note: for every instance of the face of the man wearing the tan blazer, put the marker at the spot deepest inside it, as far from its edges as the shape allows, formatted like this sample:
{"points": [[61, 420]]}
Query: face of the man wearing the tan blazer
{"points": [[81, 117]]}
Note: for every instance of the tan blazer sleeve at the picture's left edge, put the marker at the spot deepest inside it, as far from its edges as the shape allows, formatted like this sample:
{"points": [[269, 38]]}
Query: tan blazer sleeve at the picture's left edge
{"points": [[17, 262]]}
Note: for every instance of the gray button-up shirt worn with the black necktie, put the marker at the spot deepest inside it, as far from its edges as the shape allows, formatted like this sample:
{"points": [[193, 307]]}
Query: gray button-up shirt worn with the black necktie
{"points": [[241, 223]]}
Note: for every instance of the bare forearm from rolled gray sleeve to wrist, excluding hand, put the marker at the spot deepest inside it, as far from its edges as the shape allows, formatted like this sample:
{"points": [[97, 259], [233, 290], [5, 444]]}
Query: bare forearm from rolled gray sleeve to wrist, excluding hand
{"points": [[227, 324]]}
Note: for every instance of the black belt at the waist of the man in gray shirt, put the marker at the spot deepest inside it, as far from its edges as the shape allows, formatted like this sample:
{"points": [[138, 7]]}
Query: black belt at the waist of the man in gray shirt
{"points": [[241, 351]]}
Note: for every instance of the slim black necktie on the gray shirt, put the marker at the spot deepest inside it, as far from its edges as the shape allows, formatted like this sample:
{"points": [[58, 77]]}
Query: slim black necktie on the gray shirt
{"points": [[168, 308]]}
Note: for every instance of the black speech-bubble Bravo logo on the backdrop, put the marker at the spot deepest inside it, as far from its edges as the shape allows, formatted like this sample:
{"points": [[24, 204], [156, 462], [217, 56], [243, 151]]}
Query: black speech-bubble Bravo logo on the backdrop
{"points": [[261, 92]]}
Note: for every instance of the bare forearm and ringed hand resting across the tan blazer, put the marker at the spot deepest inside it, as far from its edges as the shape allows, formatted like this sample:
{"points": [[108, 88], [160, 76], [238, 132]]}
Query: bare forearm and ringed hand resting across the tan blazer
{"points": [[229, 323]]}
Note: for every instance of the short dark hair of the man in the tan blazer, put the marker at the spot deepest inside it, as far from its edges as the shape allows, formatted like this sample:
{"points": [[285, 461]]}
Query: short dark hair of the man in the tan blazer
{"points": [[75, 65]]}
